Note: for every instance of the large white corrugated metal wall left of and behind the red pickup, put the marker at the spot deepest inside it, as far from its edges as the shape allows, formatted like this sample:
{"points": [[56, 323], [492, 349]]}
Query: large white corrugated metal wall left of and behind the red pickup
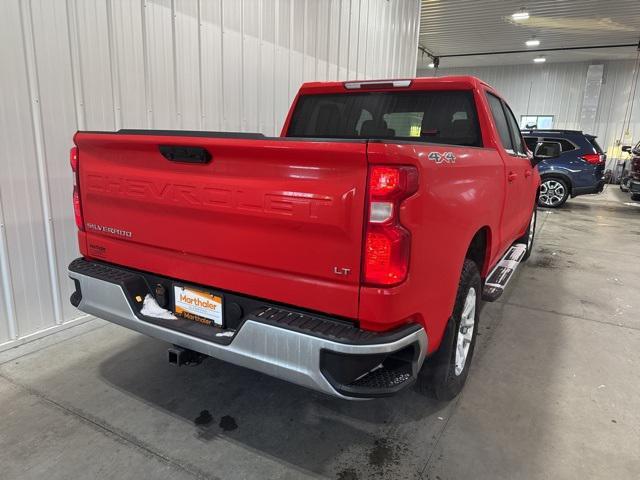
{"points": [[177, 64]]}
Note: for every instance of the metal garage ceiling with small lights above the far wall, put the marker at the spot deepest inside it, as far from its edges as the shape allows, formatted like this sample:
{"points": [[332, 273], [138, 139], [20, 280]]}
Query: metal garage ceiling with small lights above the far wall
{"points": [[462, 27]]}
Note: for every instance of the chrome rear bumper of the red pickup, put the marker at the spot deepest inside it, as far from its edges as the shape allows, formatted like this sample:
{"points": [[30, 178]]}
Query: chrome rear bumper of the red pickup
{"points": [[274, 350]]}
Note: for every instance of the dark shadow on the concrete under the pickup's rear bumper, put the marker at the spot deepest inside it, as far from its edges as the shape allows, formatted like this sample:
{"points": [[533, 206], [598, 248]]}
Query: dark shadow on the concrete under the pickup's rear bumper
{"points": [[295, 425]]}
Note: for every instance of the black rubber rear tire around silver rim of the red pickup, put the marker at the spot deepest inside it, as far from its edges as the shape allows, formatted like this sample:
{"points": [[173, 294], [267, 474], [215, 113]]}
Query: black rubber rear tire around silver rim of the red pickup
{"points": [[438, 377]]}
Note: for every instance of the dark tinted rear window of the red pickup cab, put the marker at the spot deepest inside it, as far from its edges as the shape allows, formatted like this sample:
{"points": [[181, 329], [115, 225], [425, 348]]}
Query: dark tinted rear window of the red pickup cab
{"points": [[443, 117]]}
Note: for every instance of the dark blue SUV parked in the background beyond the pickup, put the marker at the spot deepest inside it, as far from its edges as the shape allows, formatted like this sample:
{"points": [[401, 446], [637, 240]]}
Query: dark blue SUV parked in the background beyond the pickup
{"points": [[578, 170]]}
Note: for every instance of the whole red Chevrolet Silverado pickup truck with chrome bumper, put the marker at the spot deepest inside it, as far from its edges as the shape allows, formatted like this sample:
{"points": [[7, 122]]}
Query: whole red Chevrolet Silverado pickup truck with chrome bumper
{"points": [[349, 255]]}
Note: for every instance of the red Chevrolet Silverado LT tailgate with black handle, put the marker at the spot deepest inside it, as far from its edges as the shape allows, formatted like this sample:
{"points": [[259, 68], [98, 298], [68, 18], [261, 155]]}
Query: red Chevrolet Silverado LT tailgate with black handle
{"points": [[270, 218]]}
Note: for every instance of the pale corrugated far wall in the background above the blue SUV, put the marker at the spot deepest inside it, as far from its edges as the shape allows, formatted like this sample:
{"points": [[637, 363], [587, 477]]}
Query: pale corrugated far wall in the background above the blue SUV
{"points": [[558, 89]]}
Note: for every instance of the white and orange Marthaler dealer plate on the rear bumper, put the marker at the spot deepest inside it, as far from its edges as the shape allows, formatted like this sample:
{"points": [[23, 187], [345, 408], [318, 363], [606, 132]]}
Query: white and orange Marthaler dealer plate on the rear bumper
{"points": [[198, 305]]}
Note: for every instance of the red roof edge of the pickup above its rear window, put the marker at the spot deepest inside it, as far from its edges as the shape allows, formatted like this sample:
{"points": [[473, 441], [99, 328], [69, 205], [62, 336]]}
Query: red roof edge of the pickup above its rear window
{"points": [[458, 82]]}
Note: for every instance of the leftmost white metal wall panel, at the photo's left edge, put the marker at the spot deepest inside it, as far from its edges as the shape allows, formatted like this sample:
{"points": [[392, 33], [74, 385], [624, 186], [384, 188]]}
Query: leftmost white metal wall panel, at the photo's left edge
{"points": [[24, 219]]}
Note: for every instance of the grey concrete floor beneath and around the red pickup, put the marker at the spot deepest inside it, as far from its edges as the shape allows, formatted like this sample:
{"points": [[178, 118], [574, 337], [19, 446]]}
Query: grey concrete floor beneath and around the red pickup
{"points": [[554, 390]]}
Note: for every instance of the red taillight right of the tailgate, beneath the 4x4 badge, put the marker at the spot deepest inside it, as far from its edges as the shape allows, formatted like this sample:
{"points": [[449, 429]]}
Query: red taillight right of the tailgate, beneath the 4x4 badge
{"points": [[387, 243]]}
